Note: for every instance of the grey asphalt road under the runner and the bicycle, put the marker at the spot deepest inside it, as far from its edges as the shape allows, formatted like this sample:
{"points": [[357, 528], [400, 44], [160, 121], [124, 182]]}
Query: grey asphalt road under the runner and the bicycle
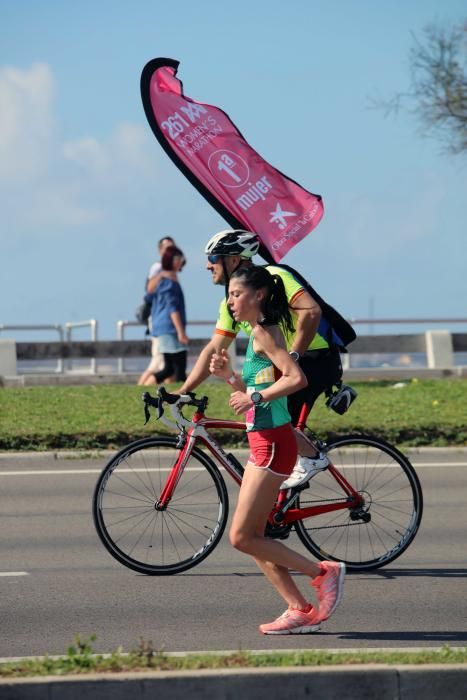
{"points": [[57, 580]]}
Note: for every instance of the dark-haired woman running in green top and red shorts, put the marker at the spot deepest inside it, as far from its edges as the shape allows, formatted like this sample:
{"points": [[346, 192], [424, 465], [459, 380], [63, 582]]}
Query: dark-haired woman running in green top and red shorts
{"points": [[269, 375]]}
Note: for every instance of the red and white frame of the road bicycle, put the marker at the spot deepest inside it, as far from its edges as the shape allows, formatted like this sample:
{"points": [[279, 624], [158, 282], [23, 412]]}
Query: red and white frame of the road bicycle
{"points": [[197, 430]]}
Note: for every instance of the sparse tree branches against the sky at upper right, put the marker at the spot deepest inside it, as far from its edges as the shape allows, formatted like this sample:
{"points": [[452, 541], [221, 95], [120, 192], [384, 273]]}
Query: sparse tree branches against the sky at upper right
{"points": [[437, 95]]}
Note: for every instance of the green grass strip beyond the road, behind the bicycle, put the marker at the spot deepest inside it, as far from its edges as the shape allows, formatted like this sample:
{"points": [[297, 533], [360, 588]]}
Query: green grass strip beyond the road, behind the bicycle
{"points": [[410, 413]]}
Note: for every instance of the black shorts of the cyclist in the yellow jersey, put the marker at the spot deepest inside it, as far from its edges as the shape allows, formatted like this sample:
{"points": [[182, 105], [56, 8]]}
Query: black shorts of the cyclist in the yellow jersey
{"points": [[322, 368]]}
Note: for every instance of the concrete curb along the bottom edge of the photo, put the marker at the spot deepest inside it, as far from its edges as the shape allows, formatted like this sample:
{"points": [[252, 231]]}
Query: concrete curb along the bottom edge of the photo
{"points": [[380, 681]]}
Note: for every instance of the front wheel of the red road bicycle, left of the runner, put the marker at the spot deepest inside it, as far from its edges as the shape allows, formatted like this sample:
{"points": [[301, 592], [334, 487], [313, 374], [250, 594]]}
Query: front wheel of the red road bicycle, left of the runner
{"points": [[152, 541]]}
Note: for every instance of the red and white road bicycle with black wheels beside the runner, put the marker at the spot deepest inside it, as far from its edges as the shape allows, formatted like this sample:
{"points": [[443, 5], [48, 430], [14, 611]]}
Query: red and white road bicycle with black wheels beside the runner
{"points": [[161, 504]]}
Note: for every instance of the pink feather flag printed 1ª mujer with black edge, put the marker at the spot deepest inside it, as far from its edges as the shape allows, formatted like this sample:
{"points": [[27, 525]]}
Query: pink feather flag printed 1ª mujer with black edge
{"points": [[209, 149]]}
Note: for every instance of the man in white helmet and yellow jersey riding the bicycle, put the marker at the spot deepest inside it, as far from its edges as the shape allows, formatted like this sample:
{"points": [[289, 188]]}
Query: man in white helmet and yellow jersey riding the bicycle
{"points": [[232, 249]]}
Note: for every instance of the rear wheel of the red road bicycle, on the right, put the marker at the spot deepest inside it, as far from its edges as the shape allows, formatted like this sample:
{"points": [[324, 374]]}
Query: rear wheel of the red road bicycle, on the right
{"points": [[384, 526]]}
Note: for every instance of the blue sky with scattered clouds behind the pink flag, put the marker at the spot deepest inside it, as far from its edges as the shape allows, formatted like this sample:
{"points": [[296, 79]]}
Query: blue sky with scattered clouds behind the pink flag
{"points": [[86, 191]]}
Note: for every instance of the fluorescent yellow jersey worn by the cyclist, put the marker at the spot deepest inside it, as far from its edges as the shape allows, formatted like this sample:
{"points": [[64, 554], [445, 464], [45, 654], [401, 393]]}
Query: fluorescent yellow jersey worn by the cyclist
{"points": [[227, 326]]}
